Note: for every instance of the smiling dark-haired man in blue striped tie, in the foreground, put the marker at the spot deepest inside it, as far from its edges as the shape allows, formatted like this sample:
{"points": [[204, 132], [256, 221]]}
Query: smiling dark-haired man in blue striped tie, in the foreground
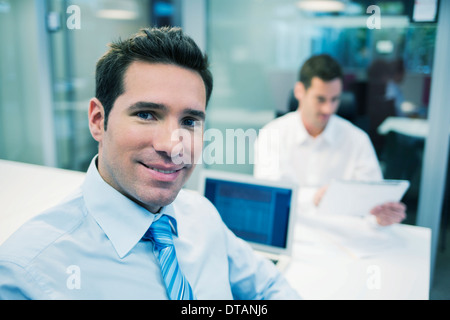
{"points": [[130, 231]]}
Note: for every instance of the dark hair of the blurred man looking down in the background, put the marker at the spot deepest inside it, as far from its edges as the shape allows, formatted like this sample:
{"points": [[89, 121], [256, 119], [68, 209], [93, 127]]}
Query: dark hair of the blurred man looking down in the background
{"points": [[322, 66]]}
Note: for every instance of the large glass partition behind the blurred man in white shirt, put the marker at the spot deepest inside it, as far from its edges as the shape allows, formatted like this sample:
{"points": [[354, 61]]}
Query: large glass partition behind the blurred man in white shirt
{"points": [[257, 48]]}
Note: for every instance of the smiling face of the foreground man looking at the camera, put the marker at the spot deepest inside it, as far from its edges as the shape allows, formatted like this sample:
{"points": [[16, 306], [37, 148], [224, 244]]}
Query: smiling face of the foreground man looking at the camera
{"points": [[154, 133]]}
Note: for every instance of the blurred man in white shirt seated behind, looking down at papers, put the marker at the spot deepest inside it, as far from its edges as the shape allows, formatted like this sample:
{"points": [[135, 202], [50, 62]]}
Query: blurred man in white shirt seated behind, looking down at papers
{"points": [[315, 145]]}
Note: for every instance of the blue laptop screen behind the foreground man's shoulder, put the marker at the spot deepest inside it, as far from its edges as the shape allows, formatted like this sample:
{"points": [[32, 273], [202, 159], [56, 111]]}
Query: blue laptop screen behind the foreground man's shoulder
{"points": [[255, 213]]}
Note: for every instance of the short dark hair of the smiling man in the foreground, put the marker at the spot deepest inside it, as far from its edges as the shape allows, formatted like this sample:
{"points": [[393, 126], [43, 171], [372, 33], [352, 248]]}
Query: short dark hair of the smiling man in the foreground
{"points": [[156, 45]]}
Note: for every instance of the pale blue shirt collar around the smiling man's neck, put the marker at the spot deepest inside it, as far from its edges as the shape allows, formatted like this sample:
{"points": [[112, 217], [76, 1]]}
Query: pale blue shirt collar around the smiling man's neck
{"points": [[123, 221]]}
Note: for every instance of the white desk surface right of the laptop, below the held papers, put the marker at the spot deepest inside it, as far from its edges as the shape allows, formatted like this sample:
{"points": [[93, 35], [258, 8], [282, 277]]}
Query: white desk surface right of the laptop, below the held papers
{"points": [[349, 258]]}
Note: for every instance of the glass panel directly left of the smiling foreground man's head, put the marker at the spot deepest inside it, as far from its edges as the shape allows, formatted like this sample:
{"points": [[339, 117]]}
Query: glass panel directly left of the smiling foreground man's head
{"points": [[75, 49]]}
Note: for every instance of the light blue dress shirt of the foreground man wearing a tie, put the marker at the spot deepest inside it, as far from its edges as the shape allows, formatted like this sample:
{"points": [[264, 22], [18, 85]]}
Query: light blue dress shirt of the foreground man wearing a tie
{"points": [[90, 247]]}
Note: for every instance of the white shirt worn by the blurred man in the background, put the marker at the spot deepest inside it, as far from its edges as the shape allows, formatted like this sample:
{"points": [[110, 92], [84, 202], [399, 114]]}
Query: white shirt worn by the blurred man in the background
{"points": [[285, 151]]}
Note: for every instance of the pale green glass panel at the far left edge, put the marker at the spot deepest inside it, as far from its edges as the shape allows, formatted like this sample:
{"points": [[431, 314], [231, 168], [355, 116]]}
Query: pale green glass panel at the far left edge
{"points": [[21, 125]]}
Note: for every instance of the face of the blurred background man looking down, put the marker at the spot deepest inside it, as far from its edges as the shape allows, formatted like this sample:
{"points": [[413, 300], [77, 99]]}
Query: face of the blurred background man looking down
{"points": [[318, 103]]}
